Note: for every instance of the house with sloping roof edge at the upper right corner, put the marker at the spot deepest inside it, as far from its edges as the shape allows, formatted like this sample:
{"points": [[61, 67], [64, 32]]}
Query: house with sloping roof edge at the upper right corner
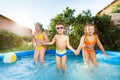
{"points": [[115, 16]]}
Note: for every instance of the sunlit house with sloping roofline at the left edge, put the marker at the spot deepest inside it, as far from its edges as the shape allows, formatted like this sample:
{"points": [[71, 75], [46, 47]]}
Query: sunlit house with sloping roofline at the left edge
{"points": [[10, 25]]}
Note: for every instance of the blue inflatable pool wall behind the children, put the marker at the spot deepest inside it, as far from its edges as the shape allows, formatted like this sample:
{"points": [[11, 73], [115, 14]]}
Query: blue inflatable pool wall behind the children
{"points": [[114, 56]]}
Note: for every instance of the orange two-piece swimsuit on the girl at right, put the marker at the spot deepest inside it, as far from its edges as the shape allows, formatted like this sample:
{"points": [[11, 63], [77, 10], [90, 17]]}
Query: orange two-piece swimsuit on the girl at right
{"points": [[87, 42]]}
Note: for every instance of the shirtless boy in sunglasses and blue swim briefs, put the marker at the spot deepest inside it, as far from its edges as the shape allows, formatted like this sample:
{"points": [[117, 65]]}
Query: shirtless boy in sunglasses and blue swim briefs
{"points": [[62, 42]]}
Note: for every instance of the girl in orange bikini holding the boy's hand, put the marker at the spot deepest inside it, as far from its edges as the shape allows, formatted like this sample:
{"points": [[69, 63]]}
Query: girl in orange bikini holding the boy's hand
{"points": [[87, 43]]}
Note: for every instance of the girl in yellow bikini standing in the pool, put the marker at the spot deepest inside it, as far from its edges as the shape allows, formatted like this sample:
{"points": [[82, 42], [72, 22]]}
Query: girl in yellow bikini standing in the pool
{"points": [[39, 36]]}
